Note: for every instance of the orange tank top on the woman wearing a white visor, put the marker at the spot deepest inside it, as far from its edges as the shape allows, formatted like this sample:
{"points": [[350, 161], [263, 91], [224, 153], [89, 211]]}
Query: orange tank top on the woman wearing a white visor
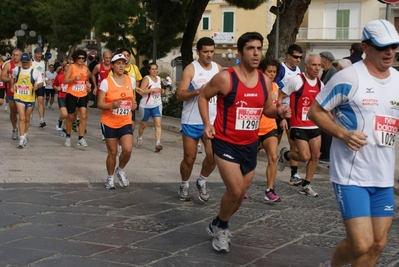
{"points": [[118, 117]]}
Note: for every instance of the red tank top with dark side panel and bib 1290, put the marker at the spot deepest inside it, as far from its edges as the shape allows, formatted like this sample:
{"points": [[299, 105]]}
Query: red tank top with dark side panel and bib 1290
{"points": [[238, 113]]}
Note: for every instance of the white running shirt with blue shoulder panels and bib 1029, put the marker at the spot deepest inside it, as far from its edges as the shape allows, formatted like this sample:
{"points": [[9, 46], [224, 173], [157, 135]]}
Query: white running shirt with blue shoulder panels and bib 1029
{"points": [[362, 102]]}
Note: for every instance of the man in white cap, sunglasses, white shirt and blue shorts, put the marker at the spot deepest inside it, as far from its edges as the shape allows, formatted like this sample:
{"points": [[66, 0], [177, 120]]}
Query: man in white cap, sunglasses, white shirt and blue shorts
{"points": [[363, 99]]}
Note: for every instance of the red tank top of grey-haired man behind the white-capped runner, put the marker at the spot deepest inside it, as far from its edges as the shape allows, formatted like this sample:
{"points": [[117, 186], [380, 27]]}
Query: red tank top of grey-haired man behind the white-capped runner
{"points": [[300, 103]]}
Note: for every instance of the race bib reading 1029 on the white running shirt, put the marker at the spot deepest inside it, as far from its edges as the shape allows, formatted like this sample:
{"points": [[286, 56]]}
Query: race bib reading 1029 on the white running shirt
{"points": [[385, 129]]}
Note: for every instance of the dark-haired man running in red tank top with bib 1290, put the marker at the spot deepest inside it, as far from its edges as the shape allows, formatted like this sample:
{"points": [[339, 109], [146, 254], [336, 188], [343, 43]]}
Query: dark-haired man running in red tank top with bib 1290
{"points": [[242, 93]]}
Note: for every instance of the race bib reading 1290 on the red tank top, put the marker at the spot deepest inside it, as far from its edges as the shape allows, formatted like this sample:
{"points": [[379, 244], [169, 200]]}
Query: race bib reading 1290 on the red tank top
{"points": [[247, 119]]}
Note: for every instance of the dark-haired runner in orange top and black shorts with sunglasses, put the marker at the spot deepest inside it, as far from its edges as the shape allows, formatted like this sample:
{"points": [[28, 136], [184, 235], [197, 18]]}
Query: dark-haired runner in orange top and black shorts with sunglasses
{"points": [[77, 77]]}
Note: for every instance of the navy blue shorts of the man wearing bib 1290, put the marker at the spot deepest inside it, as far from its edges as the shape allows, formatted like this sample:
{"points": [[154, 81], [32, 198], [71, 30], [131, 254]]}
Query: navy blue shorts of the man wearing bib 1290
{"points": [[245, 155]]}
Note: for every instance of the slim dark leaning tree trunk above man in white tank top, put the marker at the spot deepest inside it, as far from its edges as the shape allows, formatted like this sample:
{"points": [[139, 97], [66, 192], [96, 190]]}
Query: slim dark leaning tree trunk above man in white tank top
{"points": [[198, 8]]}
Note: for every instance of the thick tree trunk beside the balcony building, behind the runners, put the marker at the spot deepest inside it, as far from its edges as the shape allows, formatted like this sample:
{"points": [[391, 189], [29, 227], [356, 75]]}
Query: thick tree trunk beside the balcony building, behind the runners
{"points": [[290, 21]]}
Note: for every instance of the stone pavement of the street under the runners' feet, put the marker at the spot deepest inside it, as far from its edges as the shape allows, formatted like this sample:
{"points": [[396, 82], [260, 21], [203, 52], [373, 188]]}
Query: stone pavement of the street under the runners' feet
{"points": [[55, 211]]}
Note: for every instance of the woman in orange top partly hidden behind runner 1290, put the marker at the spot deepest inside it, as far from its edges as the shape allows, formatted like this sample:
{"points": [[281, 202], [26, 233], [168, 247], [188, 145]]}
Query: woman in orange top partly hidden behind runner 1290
{"points": [[268, 132]]}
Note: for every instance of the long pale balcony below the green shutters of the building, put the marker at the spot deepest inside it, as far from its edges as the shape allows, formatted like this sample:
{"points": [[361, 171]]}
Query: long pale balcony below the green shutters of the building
{"points": [[329, 34]]}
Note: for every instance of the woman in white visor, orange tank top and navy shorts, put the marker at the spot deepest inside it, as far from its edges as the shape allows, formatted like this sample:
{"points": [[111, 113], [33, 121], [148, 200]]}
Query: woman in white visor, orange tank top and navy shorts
{"points": [[116, 99]]}
